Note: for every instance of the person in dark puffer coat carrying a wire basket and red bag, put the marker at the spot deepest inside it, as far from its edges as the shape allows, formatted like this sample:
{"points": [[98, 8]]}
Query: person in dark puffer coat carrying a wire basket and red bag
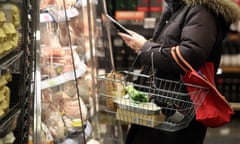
{"points": [[198, 27]]}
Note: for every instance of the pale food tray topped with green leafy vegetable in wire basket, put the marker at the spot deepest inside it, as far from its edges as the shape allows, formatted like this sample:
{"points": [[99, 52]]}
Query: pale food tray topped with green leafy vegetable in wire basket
{"points": [[136, 108]]}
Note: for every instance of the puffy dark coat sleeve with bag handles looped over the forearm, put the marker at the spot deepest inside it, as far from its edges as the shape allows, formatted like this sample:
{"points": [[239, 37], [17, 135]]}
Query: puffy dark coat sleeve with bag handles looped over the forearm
{"points": [[196, 42]]}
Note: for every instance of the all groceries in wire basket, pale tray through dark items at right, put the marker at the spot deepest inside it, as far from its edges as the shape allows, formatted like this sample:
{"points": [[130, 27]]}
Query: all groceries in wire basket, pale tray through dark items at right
{"points": [[140, 108]]}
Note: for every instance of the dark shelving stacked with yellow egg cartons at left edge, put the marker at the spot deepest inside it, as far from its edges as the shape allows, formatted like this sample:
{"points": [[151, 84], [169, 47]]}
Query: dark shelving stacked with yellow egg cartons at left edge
{"points": [[15, 70]]}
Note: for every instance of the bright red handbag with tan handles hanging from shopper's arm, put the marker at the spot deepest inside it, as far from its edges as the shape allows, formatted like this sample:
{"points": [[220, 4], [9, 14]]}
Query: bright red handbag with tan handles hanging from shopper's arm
{"points": [[214, 110]]}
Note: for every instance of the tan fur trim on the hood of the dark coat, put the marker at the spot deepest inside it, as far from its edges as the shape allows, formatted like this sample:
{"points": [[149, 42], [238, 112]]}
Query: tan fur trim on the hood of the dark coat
{"points": [[228, 9]]}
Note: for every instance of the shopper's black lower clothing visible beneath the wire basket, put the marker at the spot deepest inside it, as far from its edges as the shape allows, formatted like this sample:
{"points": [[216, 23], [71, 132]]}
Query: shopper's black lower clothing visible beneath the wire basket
{"points": [[193, 134]]}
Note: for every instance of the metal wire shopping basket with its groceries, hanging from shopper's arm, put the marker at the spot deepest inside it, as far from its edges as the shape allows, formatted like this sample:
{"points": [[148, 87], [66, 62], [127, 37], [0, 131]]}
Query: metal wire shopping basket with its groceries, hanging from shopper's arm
{"points": [[167, 104]]}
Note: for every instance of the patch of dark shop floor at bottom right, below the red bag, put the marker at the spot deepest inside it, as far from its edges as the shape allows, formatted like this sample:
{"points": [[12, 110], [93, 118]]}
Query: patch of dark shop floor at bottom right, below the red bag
{"points": [[227, 134]]}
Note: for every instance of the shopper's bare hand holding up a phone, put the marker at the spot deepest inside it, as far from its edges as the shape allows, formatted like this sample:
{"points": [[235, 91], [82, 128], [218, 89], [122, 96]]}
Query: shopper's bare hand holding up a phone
{"points": [[135, 41]]}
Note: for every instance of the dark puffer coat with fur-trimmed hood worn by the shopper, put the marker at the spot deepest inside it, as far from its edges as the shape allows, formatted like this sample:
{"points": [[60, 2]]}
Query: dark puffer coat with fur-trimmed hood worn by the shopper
{"points": [[198, 26]]}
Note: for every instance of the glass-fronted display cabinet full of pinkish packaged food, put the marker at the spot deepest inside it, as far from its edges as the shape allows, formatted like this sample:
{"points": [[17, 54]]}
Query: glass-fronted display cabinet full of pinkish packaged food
{"points": [[70, 52]]}
